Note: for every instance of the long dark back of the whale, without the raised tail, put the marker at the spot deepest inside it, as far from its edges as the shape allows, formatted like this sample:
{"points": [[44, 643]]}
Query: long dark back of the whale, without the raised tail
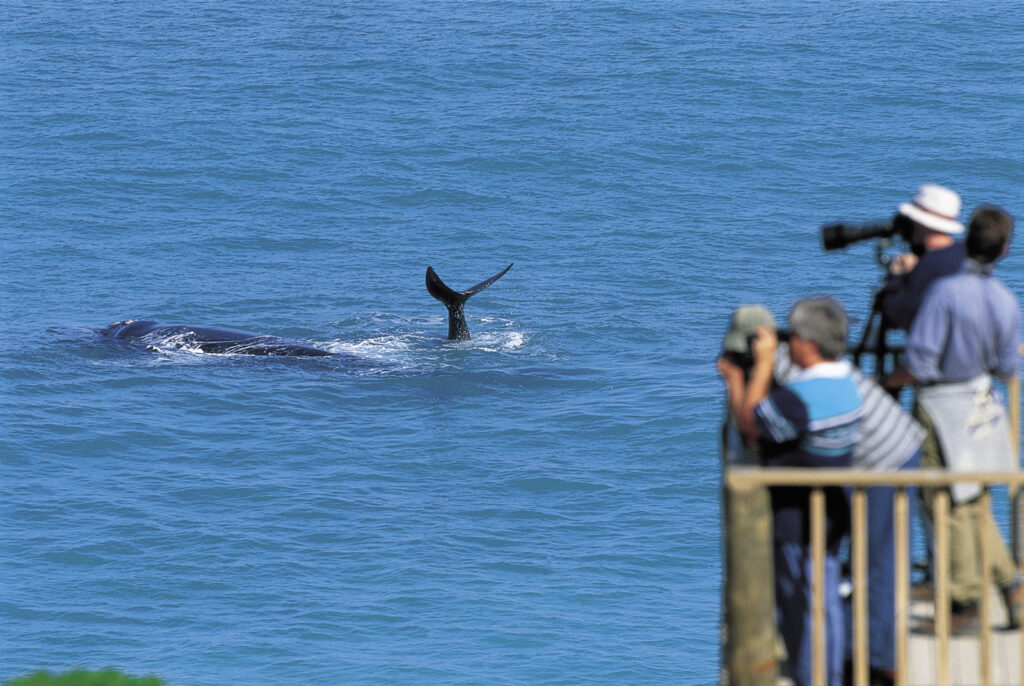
{"points": [[214, 340]]}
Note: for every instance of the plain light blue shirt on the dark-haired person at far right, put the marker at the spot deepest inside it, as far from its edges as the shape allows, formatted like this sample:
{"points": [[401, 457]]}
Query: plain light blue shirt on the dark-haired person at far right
{"points": [[968, 325]]}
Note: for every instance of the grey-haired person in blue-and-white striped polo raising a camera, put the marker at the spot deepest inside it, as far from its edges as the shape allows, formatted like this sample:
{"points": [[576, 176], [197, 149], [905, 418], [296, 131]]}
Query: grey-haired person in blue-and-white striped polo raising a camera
{"points": [[810, 422]]}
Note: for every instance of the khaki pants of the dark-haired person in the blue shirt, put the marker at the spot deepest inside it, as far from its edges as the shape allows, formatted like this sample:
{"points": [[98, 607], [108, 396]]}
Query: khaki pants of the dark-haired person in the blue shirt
{"points": [[970, 524]]}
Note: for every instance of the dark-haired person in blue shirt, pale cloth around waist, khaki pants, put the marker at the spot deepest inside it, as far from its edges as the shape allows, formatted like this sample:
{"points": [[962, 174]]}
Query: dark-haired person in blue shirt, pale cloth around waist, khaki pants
{"points": [[967, 331]]}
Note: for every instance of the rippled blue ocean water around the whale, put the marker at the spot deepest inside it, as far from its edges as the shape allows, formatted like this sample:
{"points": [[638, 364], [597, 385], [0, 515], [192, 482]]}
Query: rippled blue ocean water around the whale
{"points": [[539, 505]]}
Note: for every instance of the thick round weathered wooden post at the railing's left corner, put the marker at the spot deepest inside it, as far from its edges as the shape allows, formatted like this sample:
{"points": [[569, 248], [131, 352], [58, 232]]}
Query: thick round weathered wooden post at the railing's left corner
{"points": [[750, 588]]}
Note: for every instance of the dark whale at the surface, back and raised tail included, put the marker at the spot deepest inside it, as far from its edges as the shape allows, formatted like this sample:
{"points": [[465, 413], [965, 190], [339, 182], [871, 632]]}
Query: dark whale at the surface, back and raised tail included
{"points": [[227, 341]]}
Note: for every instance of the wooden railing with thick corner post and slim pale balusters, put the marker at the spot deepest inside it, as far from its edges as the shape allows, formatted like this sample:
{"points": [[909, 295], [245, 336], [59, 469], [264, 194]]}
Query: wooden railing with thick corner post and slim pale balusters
{"points": [[748, 485]]}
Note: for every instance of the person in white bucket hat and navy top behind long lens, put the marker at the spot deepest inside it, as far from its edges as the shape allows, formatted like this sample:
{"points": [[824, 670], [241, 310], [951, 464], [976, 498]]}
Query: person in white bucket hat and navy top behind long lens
{"points": [[934, 254]]}
